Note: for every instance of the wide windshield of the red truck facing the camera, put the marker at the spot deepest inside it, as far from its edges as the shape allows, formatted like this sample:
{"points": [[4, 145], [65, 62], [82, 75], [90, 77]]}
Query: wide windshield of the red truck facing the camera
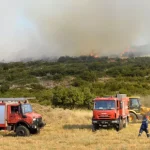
{"points": [[105, 104]]}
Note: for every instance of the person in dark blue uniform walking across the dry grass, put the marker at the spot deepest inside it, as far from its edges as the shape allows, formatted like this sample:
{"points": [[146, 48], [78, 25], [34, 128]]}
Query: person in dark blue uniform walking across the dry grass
{"points": [[144, 126]]}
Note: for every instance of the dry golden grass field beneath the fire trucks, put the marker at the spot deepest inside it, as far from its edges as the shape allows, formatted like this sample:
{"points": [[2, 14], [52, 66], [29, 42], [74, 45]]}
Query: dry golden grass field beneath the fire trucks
{"points": [[71, 130]]}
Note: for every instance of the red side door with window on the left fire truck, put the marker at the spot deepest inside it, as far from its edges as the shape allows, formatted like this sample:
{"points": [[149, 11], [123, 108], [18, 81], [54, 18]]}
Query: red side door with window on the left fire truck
{"points": [[14, 114]]}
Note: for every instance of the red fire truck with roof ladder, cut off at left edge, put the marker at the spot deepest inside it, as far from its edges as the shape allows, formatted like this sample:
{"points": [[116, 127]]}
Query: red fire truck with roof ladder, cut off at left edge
{"points": [[16, 114]]}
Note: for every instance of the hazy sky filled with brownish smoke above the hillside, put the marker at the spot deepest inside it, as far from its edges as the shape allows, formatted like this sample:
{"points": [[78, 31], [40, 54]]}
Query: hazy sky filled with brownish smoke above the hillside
{"points": [[37, 28]]}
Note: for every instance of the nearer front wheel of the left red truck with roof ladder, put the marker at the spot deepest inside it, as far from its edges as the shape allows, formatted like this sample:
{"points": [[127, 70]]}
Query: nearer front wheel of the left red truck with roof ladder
{"points": [[22, 131]]}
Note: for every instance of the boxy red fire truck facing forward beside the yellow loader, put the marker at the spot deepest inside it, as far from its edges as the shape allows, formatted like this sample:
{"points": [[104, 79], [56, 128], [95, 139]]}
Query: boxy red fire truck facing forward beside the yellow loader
{"points": [[110, 112]]}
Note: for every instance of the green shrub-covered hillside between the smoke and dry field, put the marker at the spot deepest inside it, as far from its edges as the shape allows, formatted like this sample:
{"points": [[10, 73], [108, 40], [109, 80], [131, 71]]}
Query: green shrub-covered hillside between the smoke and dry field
{"points": [[74, 81]]}
